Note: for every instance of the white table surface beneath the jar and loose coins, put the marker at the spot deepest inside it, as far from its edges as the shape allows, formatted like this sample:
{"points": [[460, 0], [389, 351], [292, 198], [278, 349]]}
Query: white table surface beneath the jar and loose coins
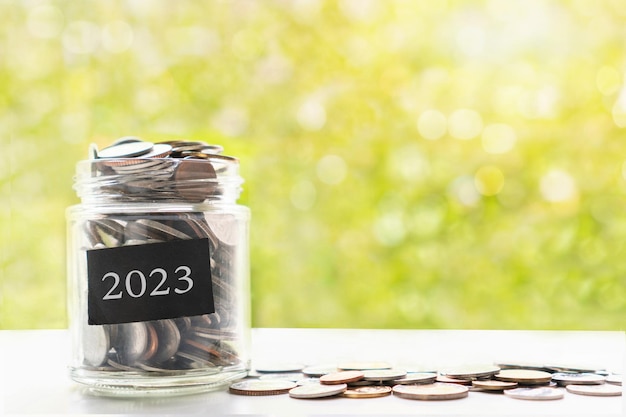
{"points": [[34, 377]]}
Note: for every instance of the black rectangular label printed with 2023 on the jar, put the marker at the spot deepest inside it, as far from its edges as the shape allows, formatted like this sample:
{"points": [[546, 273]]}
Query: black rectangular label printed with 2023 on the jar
{"points": [[149, 282]]}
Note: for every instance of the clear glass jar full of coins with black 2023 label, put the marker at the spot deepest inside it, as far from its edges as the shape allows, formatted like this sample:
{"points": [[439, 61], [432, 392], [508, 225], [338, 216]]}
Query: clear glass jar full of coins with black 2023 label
{"points": [[158, 270]]}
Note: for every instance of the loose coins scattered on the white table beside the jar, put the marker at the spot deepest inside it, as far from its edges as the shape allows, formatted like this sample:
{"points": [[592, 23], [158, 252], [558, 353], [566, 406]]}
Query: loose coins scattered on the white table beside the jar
{"points": [[378, 379]]}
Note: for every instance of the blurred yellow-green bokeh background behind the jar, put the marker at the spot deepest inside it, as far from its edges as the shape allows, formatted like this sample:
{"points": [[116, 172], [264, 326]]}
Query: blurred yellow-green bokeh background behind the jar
{"points": [[408, 164]]}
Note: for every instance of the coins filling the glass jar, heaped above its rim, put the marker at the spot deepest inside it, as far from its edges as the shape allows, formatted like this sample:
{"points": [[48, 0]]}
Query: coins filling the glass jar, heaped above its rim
{"points": [[132, 170]]}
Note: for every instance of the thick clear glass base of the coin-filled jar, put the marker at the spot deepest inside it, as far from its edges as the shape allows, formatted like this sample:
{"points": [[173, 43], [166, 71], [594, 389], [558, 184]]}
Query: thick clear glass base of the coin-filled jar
{"points": [[136, 384]]}
